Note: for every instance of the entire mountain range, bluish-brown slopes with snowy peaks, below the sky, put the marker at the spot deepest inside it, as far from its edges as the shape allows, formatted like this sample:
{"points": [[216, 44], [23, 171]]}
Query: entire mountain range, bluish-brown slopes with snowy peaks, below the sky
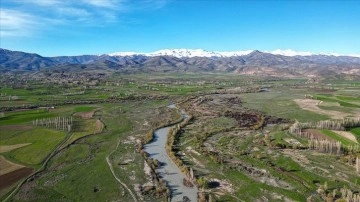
{"points": [[254, 62]]}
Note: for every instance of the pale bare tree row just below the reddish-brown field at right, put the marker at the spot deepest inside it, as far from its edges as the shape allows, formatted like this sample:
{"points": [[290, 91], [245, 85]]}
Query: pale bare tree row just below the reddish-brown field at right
{"points": [[325, 146]]}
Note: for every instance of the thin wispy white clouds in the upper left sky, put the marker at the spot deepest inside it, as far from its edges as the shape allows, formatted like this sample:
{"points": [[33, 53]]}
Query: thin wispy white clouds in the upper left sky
{"points": [[22, 17]]}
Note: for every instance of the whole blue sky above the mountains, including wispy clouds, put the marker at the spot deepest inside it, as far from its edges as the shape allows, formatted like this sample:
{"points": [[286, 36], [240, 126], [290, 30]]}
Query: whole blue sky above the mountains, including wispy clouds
{"points": [[69, 27]]}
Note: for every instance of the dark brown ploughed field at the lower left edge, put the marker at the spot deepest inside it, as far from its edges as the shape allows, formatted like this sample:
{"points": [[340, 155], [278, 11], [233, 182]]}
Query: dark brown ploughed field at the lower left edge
{"points": [[10, 178]]}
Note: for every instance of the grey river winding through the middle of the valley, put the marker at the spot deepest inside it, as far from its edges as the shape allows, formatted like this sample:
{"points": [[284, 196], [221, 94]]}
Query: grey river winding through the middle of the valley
{"points": [[169, 171]]}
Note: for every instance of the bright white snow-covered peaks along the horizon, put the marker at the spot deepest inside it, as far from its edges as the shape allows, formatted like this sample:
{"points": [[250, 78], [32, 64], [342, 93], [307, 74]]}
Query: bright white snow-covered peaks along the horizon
{"points": [[188, 53]]}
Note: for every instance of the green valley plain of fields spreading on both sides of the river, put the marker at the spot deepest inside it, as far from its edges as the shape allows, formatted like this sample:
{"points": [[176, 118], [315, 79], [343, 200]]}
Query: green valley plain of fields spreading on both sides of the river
{"points": [[268, 161]]}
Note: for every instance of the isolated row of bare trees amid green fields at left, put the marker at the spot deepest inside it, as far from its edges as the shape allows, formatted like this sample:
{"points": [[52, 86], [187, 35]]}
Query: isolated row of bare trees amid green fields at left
{"points": [[58, 123]]}
